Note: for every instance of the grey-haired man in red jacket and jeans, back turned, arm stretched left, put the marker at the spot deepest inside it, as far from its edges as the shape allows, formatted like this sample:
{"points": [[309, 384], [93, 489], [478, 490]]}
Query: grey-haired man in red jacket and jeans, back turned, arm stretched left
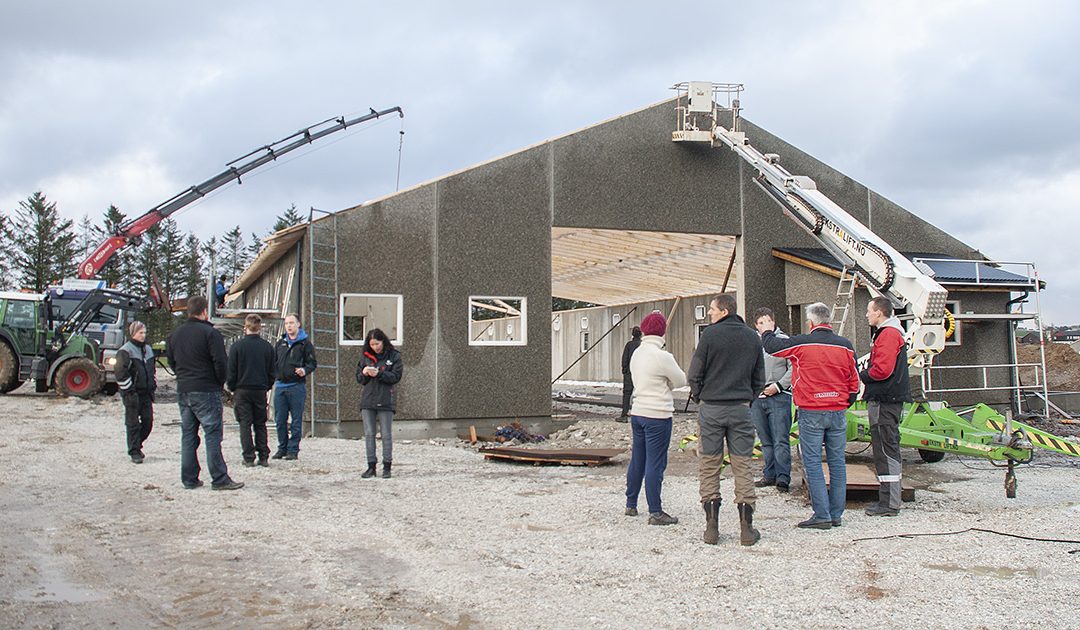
{"points": [[825, 383]]}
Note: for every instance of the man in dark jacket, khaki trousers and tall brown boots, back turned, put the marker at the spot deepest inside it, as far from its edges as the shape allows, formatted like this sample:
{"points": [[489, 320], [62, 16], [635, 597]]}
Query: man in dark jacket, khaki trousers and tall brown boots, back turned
{"points": [[726, 376]]}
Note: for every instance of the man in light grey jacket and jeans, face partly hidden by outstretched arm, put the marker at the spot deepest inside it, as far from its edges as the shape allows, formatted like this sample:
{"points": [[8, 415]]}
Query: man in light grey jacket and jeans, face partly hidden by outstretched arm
{"points": [[772, 411]]}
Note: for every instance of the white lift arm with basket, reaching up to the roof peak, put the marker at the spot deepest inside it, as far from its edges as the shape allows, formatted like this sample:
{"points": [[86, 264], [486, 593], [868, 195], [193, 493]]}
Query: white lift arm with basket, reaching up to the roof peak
{"points": [[883, 270]]}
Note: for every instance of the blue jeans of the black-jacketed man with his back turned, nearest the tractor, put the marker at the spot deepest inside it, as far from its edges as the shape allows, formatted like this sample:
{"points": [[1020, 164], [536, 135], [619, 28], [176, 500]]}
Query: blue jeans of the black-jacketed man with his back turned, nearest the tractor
{"points": [[201, 409]]}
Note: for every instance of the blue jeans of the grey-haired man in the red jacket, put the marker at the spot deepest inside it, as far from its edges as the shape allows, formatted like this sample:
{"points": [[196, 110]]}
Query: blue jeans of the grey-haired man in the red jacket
{"points": [[831, 428]]}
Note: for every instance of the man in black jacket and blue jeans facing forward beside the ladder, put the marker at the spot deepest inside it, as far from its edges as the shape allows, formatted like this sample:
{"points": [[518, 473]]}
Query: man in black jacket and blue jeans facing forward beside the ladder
{"points": [[294, 360]]}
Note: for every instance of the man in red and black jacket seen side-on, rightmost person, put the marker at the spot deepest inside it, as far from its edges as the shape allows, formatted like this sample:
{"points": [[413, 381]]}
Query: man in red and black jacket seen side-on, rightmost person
{"points": [[887, 391]]}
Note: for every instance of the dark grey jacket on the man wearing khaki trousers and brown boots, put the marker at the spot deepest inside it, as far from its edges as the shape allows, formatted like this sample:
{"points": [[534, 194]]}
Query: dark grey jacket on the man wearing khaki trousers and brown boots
{"points": [[728, 367]]}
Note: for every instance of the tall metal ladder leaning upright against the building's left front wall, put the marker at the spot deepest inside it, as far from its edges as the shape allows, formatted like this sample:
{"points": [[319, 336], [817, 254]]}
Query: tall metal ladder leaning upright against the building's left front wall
{"points": [[323, 318]]}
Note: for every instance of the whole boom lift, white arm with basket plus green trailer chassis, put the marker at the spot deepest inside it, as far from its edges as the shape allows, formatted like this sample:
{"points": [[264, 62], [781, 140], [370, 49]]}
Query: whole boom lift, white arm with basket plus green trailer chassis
{"points": [[933, 428]]}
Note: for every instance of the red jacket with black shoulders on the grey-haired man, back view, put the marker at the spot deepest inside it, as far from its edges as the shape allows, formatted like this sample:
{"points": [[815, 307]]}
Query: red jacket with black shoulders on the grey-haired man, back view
{"points": [[825, 377]]}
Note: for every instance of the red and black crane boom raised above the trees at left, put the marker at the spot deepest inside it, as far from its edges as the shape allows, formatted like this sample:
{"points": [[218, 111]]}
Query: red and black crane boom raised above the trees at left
{"points": [[128, 233]]}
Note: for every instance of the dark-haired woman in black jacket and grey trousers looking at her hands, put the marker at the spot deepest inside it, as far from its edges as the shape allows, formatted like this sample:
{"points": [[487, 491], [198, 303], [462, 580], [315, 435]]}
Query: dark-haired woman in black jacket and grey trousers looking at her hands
{"points": [[380, 370]]}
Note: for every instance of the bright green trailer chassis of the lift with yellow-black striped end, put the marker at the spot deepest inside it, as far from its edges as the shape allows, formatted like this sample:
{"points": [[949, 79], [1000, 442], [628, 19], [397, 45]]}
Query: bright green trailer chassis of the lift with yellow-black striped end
{"points": [[935, 430]]}
